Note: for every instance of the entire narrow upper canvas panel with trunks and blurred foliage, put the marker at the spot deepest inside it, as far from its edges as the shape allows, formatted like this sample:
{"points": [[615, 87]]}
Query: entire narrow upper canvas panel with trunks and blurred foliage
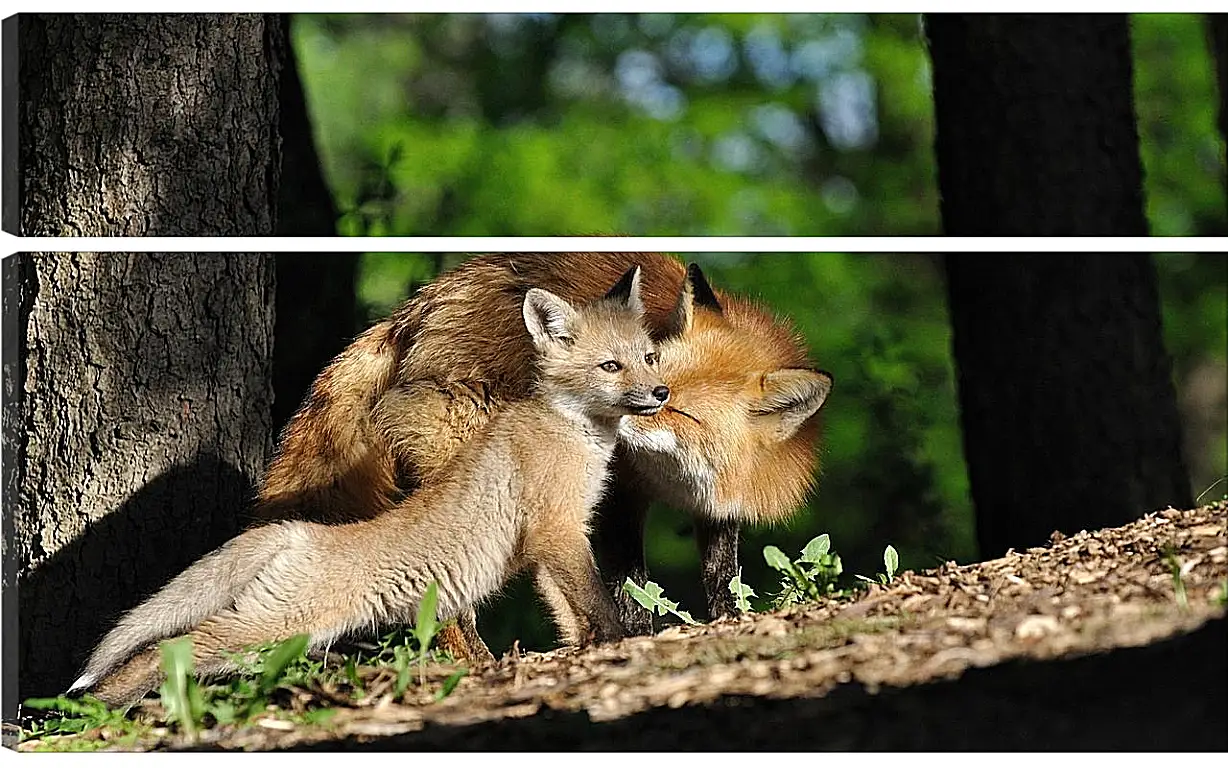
{"points": [[546, 125]]}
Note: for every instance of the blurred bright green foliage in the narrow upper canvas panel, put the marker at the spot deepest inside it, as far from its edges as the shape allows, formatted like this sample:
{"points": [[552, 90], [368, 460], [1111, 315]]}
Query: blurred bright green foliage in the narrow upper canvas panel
{"points": [[686, 125]]}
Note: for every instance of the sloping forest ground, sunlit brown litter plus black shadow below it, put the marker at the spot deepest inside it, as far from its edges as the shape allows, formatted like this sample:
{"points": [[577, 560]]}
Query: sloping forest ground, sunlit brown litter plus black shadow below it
{"points": [[1082, 645]]}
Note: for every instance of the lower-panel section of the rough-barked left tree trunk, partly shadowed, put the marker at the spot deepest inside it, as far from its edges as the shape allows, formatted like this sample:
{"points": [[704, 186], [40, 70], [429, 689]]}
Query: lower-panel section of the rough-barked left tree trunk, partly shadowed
{"points": [[137, 421]]}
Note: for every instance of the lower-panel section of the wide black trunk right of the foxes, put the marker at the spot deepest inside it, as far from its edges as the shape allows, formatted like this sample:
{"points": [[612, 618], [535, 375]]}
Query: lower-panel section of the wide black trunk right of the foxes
{"points": [[1067, 395]]}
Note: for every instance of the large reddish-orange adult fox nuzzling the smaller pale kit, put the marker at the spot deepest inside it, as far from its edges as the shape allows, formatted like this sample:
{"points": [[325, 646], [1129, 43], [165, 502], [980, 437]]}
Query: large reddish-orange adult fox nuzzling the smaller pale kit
{"points": [[736, 444]]}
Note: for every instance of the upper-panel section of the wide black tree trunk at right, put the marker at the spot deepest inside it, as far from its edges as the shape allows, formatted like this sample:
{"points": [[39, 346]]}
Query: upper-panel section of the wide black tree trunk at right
{"points": [[1036, 125]]}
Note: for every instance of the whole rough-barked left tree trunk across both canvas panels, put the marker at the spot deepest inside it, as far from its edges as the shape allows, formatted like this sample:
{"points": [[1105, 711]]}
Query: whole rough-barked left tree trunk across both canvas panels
{"points": [[137, 386]]}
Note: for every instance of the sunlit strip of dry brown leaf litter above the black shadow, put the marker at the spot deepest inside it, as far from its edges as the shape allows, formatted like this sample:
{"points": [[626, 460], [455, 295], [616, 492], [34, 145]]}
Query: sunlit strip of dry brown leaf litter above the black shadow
{"points": [[1085, 593]]}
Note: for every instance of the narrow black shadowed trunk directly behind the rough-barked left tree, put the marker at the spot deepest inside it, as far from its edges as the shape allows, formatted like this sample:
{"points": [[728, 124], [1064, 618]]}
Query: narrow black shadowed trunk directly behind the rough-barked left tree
{"points": [[316, 312]]}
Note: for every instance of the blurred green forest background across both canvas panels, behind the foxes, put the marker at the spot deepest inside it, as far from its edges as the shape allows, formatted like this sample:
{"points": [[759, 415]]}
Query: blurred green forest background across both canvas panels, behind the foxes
{"points": [[747, 125]]}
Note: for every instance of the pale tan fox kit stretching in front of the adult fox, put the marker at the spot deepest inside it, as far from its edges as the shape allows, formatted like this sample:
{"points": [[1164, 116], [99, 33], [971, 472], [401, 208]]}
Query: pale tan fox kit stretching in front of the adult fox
{"points": [[519, 496]]}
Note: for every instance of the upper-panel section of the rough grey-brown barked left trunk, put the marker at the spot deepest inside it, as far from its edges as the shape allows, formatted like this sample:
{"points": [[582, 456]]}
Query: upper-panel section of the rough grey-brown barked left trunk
{"points": [[148, 125]]}
